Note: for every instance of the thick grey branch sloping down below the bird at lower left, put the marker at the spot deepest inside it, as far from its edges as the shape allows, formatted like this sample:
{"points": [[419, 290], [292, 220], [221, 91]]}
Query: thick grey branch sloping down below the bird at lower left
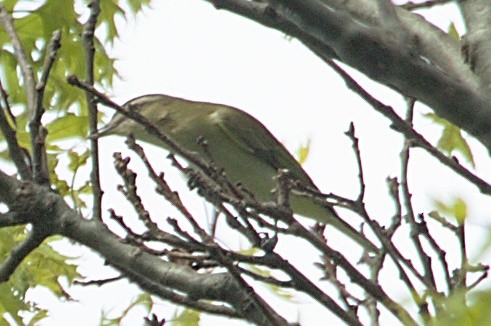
{"points": [[48, 209]]}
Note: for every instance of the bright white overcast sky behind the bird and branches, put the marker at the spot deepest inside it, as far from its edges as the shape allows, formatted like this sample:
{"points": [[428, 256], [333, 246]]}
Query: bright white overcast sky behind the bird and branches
{"points": [[187, 48]]}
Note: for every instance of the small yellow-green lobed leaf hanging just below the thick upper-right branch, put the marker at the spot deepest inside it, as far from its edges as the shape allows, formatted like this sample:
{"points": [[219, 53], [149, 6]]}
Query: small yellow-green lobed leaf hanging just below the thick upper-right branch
{"points": [[451, 139]]}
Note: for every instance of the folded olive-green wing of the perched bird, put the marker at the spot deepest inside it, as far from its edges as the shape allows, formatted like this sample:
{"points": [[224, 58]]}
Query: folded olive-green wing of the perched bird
{"points": [[252, 136]]}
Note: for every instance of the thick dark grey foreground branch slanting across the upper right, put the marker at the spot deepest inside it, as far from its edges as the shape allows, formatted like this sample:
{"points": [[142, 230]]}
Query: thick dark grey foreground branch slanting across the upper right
{"points": [[376, 52]]}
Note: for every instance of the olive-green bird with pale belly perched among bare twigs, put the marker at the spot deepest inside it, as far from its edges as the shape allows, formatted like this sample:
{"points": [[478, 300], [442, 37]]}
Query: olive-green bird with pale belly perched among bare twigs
{"points": [[236, 142]]}
